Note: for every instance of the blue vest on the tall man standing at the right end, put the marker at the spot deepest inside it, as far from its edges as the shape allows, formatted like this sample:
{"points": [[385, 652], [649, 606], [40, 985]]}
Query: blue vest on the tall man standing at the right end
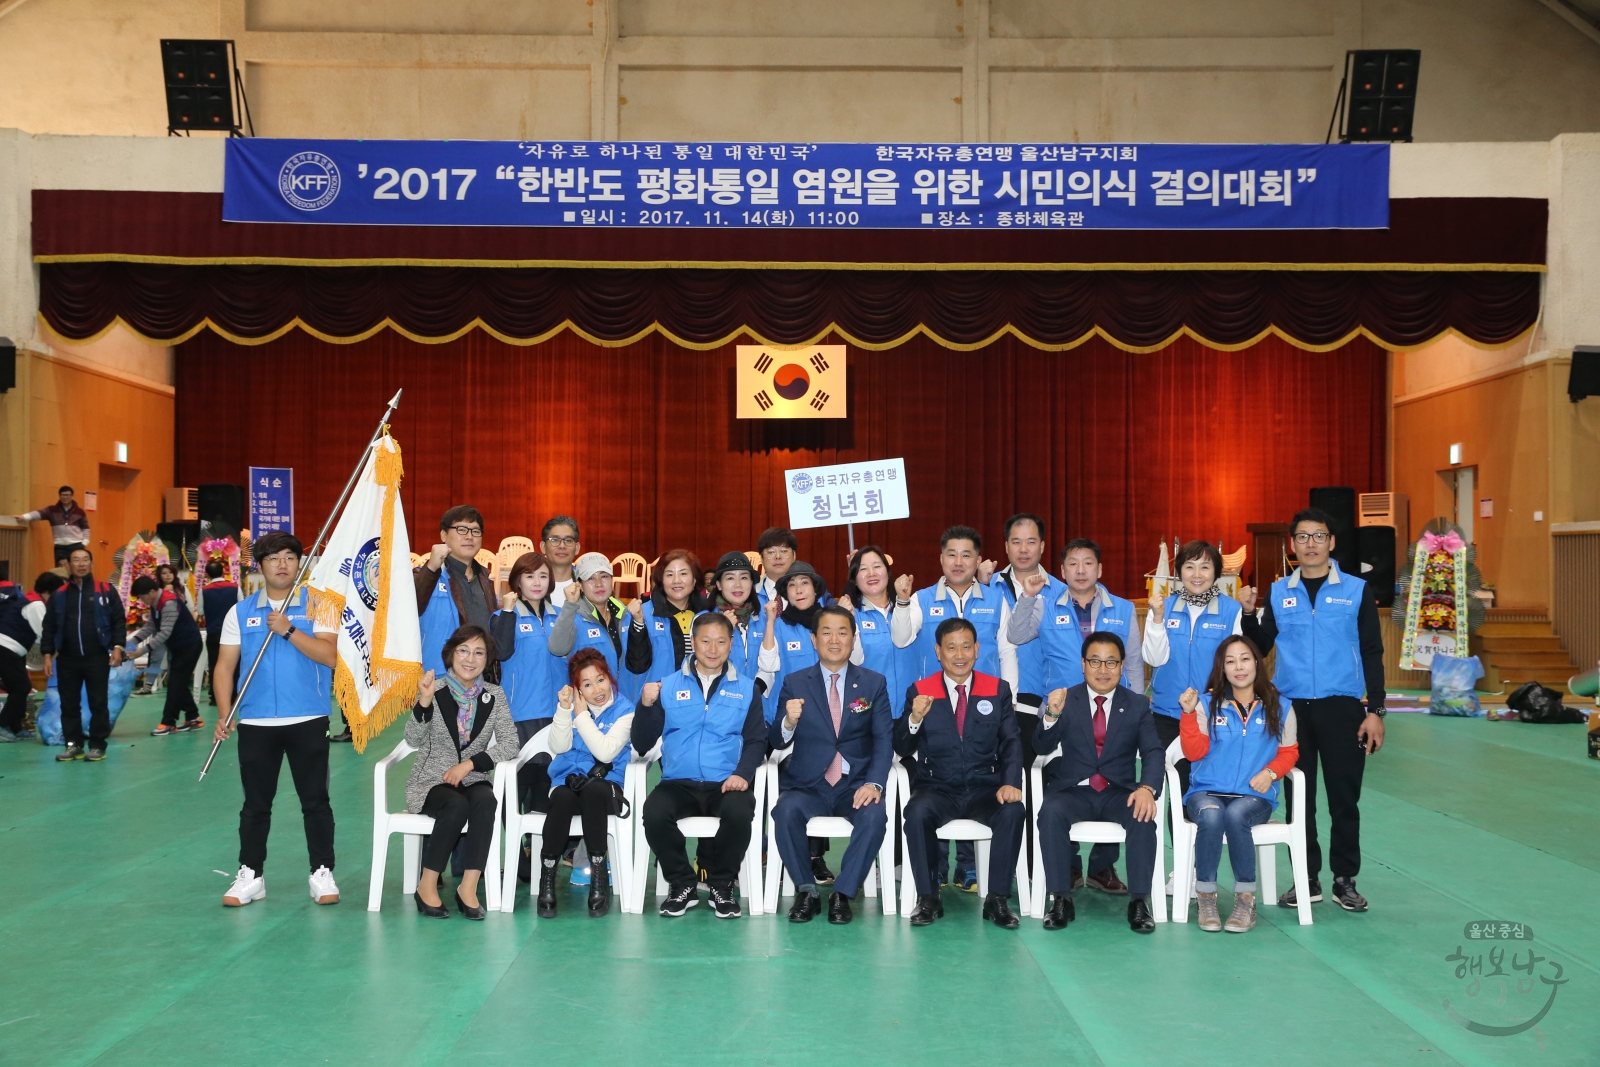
{"points": [[1319, 645]]}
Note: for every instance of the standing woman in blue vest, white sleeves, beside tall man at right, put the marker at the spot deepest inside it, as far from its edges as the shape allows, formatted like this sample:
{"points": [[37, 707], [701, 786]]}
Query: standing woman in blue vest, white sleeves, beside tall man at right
{"points": [[1183, 633]]}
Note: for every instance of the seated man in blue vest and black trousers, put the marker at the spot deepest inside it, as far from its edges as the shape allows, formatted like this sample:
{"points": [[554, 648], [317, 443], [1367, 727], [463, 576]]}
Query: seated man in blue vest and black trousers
{"points": [[708, 719]]}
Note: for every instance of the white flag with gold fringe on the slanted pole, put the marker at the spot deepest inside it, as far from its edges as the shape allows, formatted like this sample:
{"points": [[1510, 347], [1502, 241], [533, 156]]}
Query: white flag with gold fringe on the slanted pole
{"points": [[362, 585]]}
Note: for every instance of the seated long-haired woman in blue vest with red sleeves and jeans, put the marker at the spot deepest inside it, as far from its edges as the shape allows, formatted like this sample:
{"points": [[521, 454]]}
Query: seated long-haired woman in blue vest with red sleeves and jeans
{"points": [[1239, 741]]}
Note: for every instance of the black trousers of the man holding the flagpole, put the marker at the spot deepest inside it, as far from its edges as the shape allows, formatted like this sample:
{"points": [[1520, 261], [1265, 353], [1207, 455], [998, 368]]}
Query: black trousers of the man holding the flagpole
{"points": [[262, 754]]}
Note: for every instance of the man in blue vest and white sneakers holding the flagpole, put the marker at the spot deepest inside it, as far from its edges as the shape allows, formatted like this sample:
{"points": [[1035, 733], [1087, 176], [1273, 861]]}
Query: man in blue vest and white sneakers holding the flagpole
{"points": [[284, 716]]}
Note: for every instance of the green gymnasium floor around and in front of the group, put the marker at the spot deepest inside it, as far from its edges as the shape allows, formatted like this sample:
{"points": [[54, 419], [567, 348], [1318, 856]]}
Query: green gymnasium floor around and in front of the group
{"points": [[114, 948]]}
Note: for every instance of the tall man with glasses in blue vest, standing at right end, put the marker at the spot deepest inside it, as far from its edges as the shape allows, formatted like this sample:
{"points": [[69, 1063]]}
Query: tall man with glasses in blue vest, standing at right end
{"points": [[1330, 657]]}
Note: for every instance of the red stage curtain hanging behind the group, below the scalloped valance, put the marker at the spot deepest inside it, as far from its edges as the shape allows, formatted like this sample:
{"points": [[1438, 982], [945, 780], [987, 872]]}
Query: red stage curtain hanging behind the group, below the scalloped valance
{"points": [[641, 442]]}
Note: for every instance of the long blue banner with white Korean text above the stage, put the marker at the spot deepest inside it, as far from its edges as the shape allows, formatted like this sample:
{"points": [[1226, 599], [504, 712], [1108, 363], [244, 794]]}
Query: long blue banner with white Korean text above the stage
{"points": [[809, 186]]}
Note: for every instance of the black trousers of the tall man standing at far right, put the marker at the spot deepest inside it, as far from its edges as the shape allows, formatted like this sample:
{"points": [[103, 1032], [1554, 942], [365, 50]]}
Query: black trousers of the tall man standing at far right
{"points": [[1327, 737]]}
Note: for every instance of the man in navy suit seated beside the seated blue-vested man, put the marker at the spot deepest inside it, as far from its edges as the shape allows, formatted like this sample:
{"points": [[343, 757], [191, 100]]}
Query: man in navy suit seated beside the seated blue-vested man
{"points": [[838, 719]]}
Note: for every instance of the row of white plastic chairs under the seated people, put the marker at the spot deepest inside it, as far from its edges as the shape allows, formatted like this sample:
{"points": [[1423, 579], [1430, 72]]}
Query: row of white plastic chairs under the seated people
{"points": [[630, 852]]}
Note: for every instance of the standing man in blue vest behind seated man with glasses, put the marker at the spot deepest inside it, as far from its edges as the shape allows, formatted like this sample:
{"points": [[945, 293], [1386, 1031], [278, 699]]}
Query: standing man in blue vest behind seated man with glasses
{"points": [[1058, 623]]}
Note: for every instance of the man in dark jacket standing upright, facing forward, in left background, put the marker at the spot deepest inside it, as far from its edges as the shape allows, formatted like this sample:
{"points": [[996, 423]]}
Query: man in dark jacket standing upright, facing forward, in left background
{"points": [[86, 628]]}
